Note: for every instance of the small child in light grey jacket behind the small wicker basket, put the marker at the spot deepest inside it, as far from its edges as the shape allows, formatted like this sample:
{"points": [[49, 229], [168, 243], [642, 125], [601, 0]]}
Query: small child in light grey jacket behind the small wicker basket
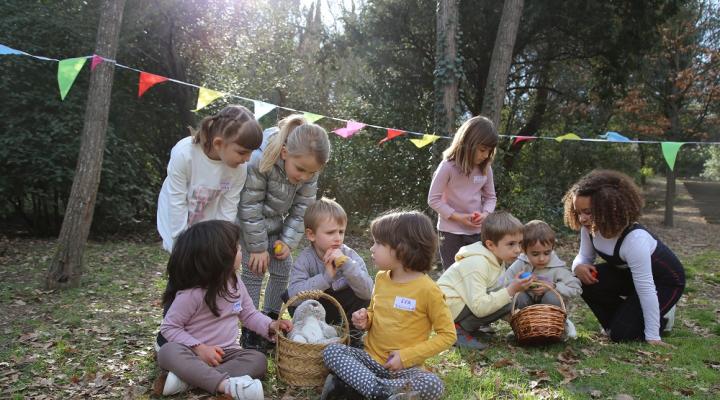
{"points": [[539, 260]]}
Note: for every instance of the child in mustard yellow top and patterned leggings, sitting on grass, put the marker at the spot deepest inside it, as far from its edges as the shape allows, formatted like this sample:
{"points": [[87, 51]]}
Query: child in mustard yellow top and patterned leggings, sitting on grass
{"points": [[406, 306]]}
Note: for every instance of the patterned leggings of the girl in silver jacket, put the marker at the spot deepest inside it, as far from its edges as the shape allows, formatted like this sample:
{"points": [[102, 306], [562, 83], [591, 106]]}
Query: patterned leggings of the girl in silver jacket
{"points": [[277, 283]]}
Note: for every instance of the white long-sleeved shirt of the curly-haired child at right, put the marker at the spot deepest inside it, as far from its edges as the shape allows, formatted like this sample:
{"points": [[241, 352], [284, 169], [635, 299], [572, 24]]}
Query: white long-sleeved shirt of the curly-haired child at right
{"points": [[636, 250]]}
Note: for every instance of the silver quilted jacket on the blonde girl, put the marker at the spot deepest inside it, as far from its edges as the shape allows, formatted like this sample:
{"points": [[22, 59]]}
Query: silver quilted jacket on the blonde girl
{"points": [[272, 206]]}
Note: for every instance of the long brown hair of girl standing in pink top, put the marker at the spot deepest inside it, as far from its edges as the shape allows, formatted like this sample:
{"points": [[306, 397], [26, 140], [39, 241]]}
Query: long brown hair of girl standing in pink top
{"points": [[477, 131]]}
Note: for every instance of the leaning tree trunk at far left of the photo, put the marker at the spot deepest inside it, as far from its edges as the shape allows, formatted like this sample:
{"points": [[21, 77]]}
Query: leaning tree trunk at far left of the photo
{"points": [[66, 267]]}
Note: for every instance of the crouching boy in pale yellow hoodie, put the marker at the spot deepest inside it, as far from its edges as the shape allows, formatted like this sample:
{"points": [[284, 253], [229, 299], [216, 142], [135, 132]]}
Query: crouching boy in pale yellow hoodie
{"points": [[472, 287]]}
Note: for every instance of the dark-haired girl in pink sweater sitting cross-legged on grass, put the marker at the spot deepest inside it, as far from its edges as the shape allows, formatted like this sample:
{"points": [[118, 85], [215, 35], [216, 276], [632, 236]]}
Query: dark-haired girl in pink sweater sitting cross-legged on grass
{"points": [[201, 327]]}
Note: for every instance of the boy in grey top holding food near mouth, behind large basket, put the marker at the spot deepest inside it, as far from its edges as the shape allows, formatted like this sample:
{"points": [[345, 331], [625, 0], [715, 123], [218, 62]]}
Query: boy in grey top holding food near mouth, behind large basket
{"points": [[329, 265]]}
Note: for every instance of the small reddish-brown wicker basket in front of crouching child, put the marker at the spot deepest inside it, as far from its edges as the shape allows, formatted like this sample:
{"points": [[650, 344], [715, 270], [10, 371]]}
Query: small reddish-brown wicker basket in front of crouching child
{"points": [[539, 323]]}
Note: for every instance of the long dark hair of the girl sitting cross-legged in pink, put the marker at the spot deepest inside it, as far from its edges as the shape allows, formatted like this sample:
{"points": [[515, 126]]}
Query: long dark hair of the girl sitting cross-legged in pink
{"points": [[203, 257]]}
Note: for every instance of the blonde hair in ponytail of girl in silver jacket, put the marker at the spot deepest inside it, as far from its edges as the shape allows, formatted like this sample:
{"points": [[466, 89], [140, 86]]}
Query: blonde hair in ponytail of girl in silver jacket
{"points": [[299, 138]]}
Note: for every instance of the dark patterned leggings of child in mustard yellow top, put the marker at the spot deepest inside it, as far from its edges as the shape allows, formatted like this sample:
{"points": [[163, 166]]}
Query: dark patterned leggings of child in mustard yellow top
{"points": [[356, 368]]}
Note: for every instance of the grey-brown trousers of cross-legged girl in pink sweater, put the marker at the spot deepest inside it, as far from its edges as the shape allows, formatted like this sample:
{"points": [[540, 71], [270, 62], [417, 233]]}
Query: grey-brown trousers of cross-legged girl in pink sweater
{"points": [[181, 361]]}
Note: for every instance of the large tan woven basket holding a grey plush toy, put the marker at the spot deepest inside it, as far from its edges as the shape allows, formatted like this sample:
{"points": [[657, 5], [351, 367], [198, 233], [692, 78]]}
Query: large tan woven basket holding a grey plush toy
{"points": [[301, 364]]}
